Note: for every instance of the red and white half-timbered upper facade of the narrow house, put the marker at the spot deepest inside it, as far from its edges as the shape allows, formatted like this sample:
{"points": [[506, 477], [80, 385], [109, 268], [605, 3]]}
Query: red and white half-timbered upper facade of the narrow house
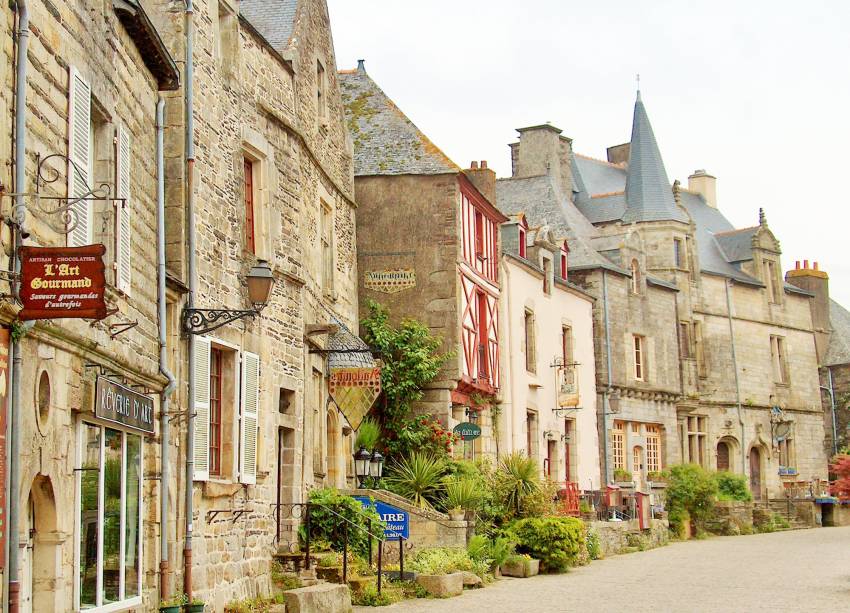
{"points": [[479, 284]]}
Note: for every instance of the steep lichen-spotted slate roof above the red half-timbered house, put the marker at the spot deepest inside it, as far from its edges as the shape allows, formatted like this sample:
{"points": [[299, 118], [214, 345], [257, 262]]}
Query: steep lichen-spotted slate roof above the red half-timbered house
{"points": [[386, 141]]}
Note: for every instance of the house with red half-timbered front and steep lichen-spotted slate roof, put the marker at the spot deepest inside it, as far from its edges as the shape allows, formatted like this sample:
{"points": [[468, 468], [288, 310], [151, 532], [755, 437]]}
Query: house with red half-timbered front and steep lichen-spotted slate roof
{"points": [[428, 238]]}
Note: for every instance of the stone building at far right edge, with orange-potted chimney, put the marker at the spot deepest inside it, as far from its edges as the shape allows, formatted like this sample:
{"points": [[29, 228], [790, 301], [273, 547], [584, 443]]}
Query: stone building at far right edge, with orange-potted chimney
{"points": [[832, 337]]}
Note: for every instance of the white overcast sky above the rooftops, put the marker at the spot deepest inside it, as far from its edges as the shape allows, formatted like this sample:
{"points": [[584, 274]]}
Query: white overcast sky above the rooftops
{"points": [[755, 92]]}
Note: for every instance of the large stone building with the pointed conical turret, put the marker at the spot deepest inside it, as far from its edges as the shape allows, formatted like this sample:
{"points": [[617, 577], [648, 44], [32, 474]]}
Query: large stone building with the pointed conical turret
{"points": [[703, 353]]}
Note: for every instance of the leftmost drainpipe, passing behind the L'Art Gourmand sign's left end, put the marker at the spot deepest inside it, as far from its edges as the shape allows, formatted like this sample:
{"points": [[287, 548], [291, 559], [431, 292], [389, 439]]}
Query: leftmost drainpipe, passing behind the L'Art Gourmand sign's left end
{"points": [[14, 507]]}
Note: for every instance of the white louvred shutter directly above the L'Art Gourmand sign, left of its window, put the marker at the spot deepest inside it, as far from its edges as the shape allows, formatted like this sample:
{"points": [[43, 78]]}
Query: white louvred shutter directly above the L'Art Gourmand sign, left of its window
{"points": [[79, 154]]}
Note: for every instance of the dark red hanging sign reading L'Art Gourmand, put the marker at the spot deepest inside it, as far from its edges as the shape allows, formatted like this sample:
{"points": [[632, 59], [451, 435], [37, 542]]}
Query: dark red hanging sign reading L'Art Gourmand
{"points": [[62, 282]]}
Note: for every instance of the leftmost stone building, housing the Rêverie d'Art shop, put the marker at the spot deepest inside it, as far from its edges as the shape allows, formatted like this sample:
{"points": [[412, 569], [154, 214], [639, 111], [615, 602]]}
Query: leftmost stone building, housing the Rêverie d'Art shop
{"points": [[89, 490]]}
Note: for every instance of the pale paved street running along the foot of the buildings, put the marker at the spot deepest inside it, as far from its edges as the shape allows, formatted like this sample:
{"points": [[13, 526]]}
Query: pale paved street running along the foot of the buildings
{"points": [[803, 570]]}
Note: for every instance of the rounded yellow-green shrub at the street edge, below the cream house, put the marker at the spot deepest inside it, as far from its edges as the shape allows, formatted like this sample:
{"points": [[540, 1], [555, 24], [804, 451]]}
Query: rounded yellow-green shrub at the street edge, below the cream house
{"points": [[558, 542]]}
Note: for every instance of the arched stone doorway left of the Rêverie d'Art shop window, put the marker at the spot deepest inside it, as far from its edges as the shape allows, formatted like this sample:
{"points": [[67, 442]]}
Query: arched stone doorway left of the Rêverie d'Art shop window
{"points": [[42, 563]]}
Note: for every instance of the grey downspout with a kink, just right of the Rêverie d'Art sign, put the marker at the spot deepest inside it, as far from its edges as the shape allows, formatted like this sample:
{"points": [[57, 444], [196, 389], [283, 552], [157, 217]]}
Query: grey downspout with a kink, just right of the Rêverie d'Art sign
{"points": [[163, 362]]}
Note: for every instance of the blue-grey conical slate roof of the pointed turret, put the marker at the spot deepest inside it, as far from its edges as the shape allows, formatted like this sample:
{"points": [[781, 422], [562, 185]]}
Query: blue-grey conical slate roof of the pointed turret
{"points": [[648, 193]]}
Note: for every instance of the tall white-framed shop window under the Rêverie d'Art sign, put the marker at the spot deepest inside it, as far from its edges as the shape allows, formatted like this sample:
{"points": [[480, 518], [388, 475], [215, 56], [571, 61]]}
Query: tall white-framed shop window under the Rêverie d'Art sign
{"points": [[110, 516]]}
